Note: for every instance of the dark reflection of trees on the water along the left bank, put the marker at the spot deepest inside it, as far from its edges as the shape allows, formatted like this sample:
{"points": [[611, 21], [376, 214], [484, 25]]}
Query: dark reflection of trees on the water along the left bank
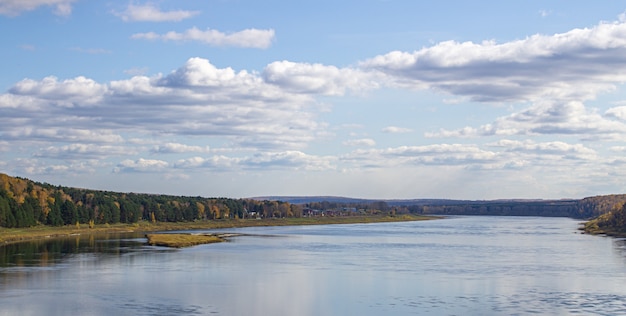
{"points": [[44, 253]]}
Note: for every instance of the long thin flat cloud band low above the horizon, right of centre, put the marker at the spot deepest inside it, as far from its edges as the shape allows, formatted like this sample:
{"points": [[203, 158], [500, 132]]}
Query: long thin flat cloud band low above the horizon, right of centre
{"points": [[502, 155]]}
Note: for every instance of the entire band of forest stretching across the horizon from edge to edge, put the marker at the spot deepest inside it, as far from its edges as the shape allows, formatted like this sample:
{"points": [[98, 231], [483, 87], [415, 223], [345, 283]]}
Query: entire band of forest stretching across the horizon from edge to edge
{"points": [[25, 203]]}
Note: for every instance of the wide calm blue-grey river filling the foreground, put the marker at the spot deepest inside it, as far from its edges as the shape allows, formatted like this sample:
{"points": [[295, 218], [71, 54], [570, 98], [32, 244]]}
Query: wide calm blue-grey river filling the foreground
{"points": [[453, 266]]}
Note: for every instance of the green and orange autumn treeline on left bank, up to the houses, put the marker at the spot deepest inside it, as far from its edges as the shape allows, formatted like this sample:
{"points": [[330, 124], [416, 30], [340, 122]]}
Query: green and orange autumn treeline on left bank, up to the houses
{"points": [[24, 203]]}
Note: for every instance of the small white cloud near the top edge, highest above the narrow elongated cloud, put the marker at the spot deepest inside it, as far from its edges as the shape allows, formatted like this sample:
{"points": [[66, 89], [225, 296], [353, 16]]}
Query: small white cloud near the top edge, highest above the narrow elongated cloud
{"points": [[151, 13]]}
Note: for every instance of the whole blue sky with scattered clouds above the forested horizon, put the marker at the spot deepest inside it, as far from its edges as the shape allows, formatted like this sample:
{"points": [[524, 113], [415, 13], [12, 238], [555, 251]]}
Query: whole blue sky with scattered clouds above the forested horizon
{"points": [[381, 99]]}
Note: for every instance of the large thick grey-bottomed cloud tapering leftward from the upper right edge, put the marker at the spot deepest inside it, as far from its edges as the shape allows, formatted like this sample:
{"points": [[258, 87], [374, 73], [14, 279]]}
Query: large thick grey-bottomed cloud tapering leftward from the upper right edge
{"points": [[575, 65]]}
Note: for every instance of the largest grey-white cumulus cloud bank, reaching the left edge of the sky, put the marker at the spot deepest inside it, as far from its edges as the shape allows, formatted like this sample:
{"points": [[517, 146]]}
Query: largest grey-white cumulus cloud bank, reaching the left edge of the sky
{"points": [[197, 99]]}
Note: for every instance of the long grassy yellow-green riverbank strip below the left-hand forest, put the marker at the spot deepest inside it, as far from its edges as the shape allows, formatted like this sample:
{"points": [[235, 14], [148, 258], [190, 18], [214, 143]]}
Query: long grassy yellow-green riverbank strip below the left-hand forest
{"points": [[12, 235]]}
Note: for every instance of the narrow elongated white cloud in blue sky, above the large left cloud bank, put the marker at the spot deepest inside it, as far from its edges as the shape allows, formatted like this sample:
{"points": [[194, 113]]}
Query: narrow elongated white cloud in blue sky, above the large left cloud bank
{"points": [[249, 38]]}
